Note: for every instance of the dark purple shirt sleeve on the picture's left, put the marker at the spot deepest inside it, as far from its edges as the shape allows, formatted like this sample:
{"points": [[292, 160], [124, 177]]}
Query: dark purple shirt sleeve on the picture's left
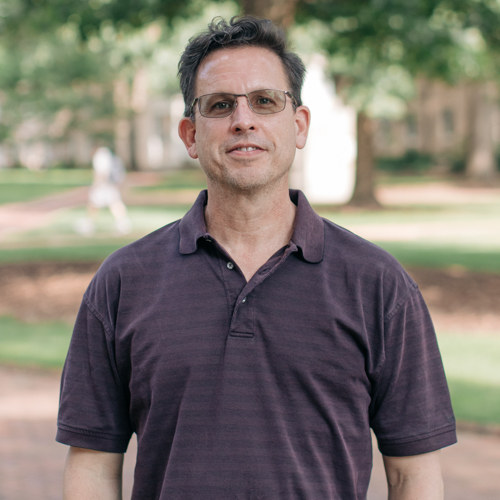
{"points": [[93, 409]]}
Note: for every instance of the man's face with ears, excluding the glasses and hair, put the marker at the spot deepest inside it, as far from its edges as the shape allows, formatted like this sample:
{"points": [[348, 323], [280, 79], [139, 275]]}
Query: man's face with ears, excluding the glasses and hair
{"points": [[245, 151]]}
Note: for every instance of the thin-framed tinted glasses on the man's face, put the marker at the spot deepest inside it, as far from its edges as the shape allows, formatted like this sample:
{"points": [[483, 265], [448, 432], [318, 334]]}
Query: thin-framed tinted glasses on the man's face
{"points": [[262, 102]]}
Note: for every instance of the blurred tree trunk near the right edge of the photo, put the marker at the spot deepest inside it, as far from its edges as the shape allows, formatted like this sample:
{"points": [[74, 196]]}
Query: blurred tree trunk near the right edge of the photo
{"points": [[481, 162]]}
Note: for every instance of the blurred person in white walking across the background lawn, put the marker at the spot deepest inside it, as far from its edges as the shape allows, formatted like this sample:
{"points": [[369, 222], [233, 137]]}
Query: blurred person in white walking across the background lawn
{"points": [[108, 176]]}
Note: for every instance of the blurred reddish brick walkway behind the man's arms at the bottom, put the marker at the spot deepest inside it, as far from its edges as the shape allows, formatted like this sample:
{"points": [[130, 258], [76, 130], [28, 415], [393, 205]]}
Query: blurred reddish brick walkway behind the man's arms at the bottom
{"points": [[31, 462]]}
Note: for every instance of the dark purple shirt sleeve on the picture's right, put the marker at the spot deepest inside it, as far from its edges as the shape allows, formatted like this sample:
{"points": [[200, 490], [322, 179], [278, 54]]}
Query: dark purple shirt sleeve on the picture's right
{"points": [[411, 410]]}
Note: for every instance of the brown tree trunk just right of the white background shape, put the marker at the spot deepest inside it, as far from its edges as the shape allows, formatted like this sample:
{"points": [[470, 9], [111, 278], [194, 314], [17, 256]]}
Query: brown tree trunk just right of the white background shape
{"points": [[364, 188]]}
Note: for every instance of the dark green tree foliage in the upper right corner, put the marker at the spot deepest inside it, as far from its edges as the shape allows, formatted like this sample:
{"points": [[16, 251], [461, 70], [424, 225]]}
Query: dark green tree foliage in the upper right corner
{"points": [[446, 39]]}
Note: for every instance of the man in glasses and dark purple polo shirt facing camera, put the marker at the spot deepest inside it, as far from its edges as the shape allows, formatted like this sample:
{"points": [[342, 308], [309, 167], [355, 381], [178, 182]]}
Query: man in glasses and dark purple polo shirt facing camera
{"points": [[251, 345]]}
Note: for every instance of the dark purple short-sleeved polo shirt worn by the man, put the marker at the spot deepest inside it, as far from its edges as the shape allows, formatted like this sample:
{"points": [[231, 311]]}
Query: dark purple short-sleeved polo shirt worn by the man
{"points": [[266, 389]]}
